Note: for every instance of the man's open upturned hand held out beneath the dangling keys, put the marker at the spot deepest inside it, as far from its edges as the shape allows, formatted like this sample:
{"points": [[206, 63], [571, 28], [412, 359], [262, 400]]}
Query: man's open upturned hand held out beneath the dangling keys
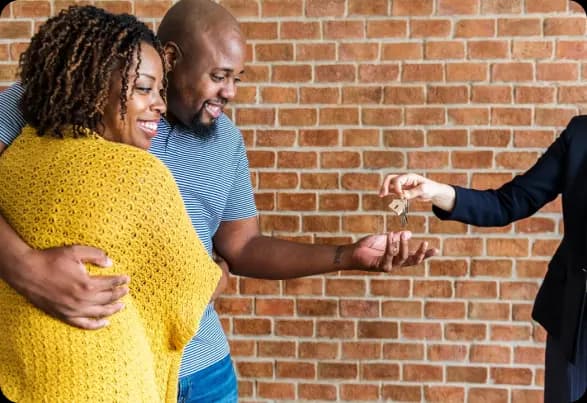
{"points": [[386, 251]]}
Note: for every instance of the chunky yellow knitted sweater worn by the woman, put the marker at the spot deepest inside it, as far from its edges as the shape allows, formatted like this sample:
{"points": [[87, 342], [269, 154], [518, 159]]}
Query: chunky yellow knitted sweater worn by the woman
{"points": [[119, 198]]}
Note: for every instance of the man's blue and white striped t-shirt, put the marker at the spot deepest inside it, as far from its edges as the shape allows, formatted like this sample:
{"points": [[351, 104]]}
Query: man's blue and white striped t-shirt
{"points": [[212, 173]]}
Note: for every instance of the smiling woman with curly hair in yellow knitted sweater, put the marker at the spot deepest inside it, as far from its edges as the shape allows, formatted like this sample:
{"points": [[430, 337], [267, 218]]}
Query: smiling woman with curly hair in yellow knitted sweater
{"points": [[91, 76]]}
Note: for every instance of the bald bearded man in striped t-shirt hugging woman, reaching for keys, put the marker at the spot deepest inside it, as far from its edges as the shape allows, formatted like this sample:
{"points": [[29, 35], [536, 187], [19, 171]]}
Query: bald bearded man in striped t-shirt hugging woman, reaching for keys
{"points": [[205, 50]]}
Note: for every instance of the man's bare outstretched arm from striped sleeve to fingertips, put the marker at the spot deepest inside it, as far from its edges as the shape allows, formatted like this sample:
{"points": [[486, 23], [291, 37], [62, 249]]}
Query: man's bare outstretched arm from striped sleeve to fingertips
{"points": [[251, 254]]}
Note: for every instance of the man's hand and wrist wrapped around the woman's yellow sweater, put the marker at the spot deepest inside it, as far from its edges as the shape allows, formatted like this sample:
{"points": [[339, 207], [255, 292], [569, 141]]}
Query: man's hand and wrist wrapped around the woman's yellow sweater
{"points": [[56, 281]]}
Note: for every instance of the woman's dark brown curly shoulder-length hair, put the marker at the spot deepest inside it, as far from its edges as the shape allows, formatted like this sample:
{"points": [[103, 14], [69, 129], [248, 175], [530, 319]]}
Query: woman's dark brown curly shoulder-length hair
{"points": [[67, 69]]}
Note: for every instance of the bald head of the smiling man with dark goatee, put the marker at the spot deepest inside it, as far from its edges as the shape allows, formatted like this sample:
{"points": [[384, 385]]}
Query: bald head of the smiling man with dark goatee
{"points": [[205, 50]]}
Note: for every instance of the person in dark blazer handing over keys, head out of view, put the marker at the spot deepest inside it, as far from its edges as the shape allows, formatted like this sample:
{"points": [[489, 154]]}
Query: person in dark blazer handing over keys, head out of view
{"points": [[560, 303]]}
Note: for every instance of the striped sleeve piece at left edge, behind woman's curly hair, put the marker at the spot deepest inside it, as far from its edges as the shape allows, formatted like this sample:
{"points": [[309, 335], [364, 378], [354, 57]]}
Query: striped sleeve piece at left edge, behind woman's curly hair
{"points": [[11, 118]]}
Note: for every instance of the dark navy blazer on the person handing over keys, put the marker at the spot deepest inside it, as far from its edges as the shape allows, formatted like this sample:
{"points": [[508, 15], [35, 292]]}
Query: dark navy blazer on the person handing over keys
{"points": [[562, 169]]}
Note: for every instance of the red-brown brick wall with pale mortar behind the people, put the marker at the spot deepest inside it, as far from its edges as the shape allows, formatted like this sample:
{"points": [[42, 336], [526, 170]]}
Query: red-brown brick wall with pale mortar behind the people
{"points": [[336, 94]]}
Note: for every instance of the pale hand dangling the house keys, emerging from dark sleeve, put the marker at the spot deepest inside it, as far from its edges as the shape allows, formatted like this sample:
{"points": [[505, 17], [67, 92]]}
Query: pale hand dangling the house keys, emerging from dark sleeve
{"points": [[412, 186]]}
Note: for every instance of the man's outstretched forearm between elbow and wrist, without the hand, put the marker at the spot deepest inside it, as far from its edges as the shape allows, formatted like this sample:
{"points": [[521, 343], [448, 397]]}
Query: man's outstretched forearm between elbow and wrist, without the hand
{"points": [[277, 259]]}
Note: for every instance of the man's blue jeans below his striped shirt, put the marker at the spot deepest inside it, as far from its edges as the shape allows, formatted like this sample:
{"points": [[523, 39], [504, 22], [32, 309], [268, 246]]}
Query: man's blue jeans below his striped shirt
{"points": [[215, 384]]}
